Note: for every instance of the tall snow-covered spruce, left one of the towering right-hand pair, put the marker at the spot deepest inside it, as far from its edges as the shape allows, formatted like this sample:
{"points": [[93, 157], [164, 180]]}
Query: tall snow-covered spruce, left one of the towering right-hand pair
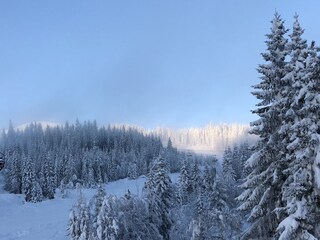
{"points": [[264, 185]]}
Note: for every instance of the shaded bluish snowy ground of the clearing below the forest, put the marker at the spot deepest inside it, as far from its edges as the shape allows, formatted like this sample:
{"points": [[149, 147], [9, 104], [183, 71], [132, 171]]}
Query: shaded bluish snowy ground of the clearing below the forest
{"points": [[48, 220]]}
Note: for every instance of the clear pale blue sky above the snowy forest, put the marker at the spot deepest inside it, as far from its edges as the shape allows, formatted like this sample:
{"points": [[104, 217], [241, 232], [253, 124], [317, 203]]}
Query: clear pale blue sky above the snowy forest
{"points": [[152, 63]]}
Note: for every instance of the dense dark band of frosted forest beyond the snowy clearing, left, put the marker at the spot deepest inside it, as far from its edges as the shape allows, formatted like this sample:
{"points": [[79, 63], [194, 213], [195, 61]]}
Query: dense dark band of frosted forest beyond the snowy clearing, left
{"points": [[37, 160]]}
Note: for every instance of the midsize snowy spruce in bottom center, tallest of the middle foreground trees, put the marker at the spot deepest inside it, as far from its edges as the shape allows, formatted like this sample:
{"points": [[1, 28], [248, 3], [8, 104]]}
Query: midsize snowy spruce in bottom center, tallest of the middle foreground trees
{"points": [[159, 195]]}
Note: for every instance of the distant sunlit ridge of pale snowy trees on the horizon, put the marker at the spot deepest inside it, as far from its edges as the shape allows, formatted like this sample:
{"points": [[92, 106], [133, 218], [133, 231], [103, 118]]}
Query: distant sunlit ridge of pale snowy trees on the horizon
{"points": [[211, 139]]}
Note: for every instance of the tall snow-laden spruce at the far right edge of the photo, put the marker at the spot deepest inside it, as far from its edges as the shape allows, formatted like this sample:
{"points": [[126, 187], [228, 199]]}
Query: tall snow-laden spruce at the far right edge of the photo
{"points": [[300, 216]]}
